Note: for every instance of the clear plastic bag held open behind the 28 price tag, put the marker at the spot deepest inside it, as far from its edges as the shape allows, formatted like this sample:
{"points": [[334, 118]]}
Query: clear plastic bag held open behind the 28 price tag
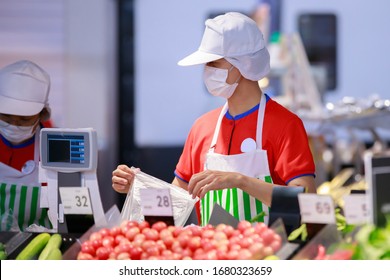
{"points": [[182, 202]]}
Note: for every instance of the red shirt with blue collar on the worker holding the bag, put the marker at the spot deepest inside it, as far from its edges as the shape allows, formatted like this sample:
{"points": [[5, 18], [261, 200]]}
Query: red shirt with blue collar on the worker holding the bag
{"points": [[284, 139]]}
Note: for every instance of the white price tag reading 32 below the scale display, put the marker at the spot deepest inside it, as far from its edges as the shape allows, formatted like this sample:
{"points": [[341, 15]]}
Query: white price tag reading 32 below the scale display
{"points": [[75, 200]]}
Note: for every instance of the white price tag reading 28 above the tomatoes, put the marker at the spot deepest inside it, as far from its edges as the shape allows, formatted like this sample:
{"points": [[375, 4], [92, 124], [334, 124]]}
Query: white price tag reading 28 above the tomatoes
{"points": [[156, 202]]}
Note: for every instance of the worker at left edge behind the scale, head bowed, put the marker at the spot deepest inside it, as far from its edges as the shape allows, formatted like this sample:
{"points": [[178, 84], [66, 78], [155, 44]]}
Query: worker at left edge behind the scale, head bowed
{"points": [[24, 110]]}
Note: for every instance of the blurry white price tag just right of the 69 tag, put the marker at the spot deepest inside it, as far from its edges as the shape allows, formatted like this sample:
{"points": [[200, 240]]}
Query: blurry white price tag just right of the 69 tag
{"points": [[356, 209]]}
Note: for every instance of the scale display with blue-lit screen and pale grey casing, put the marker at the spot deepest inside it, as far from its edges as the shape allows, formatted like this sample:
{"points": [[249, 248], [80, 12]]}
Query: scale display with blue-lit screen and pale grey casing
{"points": [[72, 150]]}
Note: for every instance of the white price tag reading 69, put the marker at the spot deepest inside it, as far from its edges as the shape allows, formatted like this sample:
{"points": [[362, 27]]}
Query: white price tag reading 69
{"points": [[316, 209]]}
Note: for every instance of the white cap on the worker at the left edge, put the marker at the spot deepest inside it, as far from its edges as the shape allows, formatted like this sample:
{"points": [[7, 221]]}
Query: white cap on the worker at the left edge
{"points": [[24, 89]]}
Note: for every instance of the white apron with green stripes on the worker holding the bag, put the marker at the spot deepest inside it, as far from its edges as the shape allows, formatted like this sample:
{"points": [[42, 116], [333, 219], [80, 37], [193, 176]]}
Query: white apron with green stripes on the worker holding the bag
{"points": [[253, 163]]}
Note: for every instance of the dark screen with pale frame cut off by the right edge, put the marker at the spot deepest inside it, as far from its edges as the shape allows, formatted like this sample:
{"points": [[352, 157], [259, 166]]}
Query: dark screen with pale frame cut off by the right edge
{"points": [[377, 175]]}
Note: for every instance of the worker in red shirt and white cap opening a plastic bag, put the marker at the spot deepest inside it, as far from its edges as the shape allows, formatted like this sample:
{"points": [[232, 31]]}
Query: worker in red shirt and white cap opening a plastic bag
{"points": [[236, 154]]}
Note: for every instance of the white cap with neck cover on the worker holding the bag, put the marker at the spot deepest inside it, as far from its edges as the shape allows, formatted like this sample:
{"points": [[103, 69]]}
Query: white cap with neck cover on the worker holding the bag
{"points": [[238, 39]]}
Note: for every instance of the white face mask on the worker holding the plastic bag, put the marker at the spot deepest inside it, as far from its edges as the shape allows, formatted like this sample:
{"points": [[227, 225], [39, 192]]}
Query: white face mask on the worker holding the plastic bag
{"points": [[215, 81]]}
